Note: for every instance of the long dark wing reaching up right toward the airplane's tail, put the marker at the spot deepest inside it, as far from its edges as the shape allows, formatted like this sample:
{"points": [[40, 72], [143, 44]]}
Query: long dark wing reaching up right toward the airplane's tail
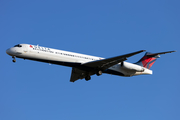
{"points": [[106, 63]]}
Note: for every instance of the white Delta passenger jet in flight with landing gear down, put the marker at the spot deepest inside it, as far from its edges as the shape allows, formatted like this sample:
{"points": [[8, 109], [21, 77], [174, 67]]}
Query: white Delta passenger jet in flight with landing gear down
{"points": [[84, 66]]}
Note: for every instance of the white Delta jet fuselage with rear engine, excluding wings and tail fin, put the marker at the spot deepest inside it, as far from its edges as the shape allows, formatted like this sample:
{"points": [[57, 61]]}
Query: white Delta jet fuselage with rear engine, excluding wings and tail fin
{"points": [[71, 59]]}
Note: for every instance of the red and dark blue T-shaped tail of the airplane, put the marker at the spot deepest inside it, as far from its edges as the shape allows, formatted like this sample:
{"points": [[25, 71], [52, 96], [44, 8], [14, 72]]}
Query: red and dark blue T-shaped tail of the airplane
{"points": [[149, 59]]}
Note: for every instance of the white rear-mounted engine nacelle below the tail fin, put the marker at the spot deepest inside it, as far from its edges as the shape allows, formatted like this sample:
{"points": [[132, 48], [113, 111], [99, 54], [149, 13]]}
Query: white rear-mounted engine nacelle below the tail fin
{"points": [[131, 67]]}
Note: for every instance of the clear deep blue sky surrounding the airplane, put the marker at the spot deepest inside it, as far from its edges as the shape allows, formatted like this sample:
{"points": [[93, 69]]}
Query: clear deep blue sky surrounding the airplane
{"points": [[32, 90]]}
